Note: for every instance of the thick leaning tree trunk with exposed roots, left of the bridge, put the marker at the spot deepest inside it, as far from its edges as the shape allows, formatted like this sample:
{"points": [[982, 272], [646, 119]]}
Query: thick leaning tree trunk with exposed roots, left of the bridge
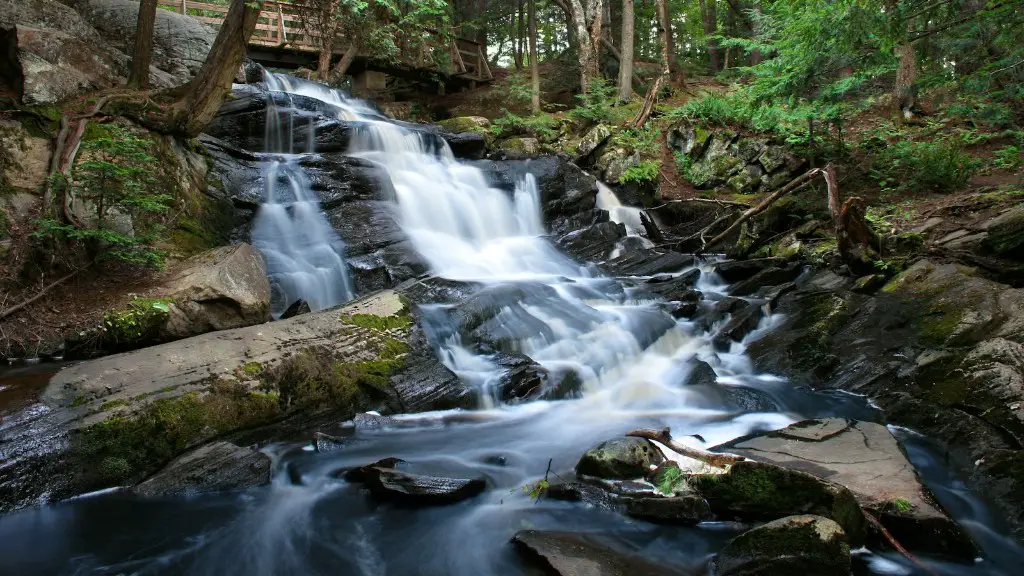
{"points": [[207, 91]]}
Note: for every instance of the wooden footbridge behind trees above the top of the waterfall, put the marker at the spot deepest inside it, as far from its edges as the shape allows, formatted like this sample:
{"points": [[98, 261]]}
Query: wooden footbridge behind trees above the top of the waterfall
{"points": [[282, 42]]}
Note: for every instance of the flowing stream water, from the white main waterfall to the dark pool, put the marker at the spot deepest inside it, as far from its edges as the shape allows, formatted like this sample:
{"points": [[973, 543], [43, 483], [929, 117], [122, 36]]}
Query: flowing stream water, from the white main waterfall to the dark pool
{"points": [[632, 359]]}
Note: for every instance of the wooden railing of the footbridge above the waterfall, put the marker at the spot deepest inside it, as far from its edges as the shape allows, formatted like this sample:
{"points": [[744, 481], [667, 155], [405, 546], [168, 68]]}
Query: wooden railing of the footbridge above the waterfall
{"points": [[281, 26]]}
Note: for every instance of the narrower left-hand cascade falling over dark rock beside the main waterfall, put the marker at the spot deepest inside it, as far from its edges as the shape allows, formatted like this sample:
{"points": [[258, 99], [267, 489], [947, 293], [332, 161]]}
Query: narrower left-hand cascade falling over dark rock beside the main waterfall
{"points": [[306, 258]]}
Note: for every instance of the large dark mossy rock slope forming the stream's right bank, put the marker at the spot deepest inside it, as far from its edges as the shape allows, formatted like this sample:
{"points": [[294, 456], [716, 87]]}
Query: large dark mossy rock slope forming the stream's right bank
{"points": [[938, 349]]}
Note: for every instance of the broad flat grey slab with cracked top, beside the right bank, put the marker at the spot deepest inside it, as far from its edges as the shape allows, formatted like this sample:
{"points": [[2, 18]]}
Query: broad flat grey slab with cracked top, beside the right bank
{"points": [[866, 459]]}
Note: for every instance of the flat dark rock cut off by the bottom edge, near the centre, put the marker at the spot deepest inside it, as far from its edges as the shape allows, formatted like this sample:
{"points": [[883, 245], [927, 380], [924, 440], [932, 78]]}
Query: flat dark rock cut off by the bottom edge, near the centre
{"points": [[569, 554]]}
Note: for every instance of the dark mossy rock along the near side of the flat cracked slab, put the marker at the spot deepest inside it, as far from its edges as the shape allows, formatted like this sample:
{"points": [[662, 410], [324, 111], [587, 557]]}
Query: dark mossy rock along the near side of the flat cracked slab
{"points": [[764, 491]]}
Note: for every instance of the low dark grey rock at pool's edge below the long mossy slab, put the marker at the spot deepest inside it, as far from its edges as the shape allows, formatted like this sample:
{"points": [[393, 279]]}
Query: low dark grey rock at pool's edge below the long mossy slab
{"points": [[215, 468]]}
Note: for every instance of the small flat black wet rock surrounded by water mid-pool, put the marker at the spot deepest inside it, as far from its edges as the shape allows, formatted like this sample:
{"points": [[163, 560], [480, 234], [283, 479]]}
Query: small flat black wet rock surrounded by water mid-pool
{"points": [[396, 486]]}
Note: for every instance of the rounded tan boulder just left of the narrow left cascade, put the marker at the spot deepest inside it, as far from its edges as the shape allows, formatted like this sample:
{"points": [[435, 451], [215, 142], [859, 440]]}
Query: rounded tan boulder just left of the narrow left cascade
{"points": [[224, 289]]}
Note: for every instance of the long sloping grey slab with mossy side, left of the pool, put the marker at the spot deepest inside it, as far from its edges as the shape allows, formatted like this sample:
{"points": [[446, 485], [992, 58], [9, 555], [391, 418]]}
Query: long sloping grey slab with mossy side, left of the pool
{"points": [[221, 384]]}
